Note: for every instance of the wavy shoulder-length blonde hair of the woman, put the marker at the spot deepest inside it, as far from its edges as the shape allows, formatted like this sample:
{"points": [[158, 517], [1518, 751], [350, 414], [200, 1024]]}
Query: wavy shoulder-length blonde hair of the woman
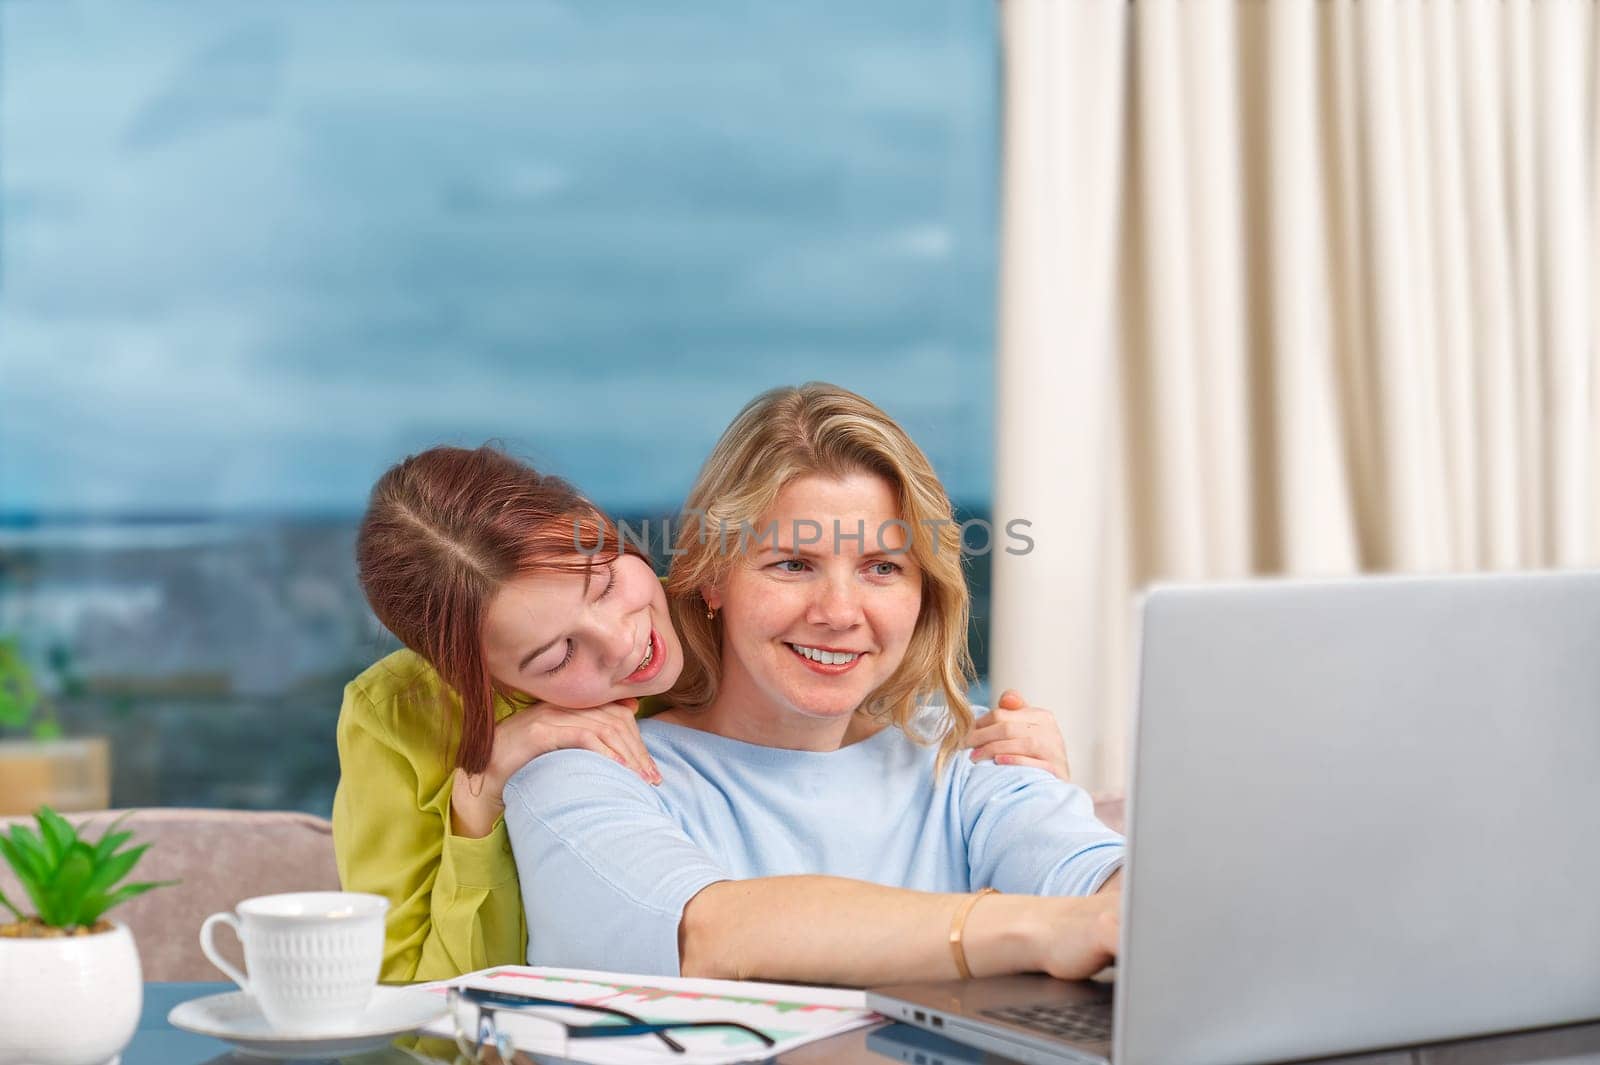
{"points": [[822, 429]]}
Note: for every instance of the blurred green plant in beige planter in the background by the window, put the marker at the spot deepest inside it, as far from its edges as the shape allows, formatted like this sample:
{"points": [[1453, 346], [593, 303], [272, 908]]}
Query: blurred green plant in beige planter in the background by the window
{"points": [[41, 767]]}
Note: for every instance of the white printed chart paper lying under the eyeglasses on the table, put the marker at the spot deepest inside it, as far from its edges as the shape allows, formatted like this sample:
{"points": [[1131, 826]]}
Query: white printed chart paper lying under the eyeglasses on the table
{"points": [[790, 1015]]}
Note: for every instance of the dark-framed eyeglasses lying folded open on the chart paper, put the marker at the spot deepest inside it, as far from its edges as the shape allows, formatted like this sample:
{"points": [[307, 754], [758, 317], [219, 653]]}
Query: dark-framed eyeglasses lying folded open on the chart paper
{"points": [[500, 1019]]}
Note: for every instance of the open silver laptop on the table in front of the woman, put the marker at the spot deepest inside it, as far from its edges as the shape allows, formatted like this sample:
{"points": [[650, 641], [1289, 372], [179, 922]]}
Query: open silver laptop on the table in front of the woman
{"points": [[1362, 815]]}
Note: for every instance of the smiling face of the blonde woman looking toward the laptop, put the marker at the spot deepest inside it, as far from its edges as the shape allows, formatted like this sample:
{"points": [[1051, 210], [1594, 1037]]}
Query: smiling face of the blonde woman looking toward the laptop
{"points": [[814, 629]]}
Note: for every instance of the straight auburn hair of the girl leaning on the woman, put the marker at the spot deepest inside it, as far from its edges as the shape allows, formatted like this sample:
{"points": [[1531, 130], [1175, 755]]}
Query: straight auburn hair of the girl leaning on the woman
{"points": [[444, 530]]}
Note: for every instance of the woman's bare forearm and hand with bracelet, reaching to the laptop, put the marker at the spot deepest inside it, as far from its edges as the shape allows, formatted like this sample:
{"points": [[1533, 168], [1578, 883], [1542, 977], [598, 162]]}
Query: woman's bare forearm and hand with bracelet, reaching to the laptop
{"points": [[826, 930]]}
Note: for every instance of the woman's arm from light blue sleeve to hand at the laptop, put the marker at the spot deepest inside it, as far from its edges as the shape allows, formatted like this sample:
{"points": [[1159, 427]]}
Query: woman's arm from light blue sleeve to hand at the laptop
{"points": [[612, 882]]}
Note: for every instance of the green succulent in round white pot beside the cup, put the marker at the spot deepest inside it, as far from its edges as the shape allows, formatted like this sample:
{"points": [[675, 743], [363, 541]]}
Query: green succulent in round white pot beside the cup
{"points": [[71, 986]]}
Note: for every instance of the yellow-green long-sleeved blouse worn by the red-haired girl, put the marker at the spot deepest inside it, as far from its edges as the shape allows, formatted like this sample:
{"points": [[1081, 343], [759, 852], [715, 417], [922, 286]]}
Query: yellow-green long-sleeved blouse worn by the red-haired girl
{"points": [[454, 903]]}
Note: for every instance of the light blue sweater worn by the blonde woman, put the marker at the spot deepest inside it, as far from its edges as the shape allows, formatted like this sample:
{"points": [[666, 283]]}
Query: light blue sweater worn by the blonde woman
{"points": [[609, 863]]}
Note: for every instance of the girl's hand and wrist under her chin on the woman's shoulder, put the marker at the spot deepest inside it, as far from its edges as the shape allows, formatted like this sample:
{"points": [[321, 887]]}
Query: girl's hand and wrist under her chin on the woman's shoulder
{"points": [[476, 802]]}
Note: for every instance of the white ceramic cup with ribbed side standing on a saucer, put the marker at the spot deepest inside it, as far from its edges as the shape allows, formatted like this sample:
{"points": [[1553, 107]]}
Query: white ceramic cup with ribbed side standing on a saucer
{"points": [[313, 955]]}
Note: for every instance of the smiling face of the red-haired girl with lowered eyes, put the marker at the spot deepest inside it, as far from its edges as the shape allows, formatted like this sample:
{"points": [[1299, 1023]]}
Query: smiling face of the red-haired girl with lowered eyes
{"points": [[551, 639]]}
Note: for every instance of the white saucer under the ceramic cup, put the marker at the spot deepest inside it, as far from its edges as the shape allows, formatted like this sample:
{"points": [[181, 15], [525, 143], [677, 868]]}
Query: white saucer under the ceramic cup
{"points": [[236, 1018]]}
